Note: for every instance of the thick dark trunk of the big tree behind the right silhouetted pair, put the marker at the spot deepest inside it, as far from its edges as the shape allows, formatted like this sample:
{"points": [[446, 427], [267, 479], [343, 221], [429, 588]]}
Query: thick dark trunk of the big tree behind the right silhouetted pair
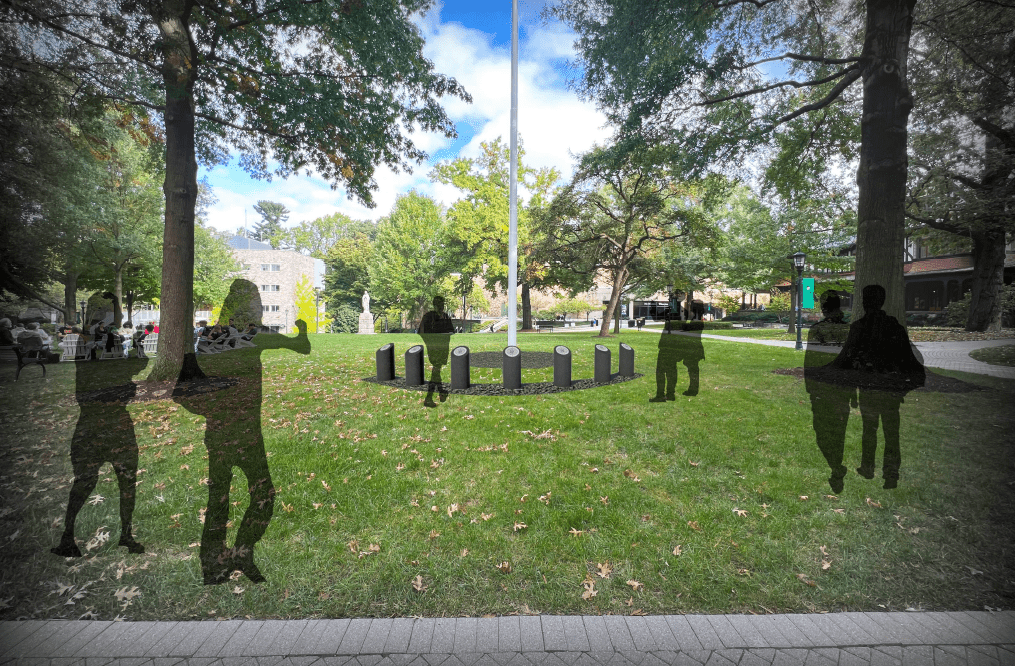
{"points": [[882, 176]]}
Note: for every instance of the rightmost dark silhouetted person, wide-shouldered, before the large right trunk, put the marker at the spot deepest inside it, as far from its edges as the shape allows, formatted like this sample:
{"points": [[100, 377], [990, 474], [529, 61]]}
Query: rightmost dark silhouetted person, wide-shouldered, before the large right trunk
{"points": [[879, 355]]}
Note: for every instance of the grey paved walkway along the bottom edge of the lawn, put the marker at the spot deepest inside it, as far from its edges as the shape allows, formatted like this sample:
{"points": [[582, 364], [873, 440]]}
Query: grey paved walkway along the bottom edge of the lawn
{"points": [[903, 639]]}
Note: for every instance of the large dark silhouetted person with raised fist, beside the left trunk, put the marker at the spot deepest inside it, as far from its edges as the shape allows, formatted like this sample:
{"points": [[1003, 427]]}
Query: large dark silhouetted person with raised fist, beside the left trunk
{"points": [[230, 447]]}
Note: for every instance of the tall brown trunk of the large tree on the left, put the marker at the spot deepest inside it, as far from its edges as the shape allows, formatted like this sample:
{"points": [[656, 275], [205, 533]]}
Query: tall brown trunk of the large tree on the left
{"points": [[176, 359]]}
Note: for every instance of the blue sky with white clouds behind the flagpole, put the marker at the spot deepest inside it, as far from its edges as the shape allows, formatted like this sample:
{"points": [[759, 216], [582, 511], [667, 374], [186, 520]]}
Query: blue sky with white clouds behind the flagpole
{"points": [[470, 41]]}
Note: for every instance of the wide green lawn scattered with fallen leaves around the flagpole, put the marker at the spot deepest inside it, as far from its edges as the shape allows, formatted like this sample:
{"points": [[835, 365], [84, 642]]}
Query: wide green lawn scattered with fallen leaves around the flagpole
{"points": [[717, 503]]}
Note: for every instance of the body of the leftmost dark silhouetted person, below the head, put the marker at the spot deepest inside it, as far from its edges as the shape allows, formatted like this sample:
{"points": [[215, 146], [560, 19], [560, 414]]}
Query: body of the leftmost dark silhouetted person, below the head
{"points": [[105, 433]]}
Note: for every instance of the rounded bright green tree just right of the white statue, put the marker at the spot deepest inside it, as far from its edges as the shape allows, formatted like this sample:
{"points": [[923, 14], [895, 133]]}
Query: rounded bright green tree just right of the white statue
{"points": [[412, 256]]}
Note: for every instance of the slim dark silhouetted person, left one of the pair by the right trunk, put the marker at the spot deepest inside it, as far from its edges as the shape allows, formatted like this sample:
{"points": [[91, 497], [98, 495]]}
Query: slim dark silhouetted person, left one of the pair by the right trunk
{"points": [[831, 389]]}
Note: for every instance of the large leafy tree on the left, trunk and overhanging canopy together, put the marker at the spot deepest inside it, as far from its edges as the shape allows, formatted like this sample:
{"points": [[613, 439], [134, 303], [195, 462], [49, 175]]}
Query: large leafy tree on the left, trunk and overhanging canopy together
{"points": [[331, 86]]}
